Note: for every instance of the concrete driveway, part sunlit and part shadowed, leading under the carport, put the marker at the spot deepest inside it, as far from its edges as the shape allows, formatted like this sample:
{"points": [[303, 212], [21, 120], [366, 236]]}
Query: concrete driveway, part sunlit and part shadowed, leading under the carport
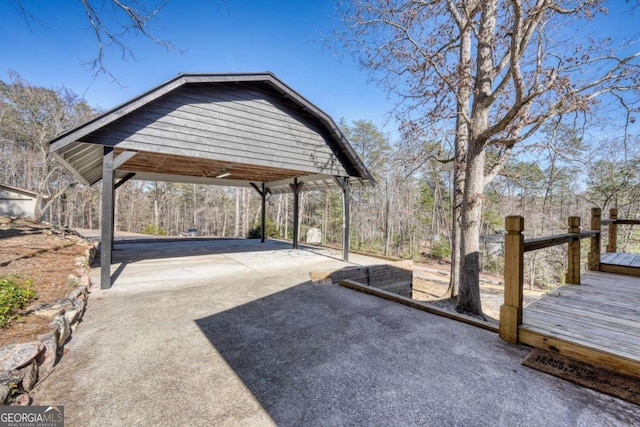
{"points": [[230, 332]]}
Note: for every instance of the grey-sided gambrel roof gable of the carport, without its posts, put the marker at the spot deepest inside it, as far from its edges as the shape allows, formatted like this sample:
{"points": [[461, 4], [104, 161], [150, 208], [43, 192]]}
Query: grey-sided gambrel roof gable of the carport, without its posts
{"points": [[253, 120]]}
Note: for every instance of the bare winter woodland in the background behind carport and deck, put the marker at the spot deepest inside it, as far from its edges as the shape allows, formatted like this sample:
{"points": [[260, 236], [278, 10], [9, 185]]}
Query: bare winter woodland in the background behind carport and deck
{"points": [[407, 214]]}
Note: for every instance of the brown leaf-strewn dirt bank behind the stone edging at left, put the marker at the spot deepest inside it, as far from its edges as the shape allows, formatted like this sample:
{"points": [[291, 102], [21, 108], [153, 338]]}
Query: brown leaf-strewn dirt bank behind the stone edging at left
{"points": [[44, 256]]}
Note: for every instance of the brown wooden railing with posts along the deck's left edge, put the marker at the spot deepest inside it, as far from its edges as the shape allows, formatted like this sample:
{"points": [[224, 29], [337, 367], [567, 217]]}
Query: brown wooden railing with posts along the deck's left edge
{"points": [[514, 249]]}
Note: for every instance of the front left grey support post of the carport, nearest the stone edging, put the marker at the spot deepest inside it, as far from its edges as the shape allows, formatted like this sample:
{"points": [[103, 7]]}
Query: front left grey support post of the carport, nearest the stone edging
{"points": [[106, 228]]}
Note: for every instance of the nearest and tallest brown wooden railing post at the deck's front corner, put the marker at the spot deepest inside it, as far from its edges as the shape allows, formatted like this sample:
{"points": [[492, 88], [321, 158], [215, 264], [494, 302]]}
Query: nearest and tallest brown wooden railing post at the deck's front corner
{"points": [[511, 310]]}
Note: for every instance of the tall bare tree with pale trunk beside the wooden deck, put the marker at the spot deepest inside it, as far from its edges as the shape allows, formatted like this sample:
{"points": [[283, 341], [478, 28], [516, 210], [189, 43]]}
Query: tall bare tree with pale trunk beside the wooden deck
{"points": [[496, 70]]}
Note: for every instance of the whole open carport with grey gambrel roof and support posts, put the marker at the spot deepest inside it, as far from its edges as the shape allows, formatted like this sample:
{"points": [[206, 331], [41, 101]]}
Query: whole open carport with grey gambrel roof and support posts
{"points": [[241, 129]]}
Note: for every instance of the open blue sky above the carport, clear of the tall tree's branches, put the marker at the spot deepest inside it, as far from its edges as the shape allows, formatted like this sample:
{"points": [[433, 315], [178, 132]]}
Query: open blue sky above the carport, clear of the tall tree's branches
{"points": [[281, 36]]}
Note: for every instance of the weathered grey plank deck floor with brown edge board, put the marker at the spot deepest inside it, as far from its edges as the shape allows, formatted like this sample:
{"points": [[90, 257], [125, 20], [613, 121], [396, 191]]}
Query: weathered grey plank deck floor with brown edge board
{"points": [[597, 321]]}
